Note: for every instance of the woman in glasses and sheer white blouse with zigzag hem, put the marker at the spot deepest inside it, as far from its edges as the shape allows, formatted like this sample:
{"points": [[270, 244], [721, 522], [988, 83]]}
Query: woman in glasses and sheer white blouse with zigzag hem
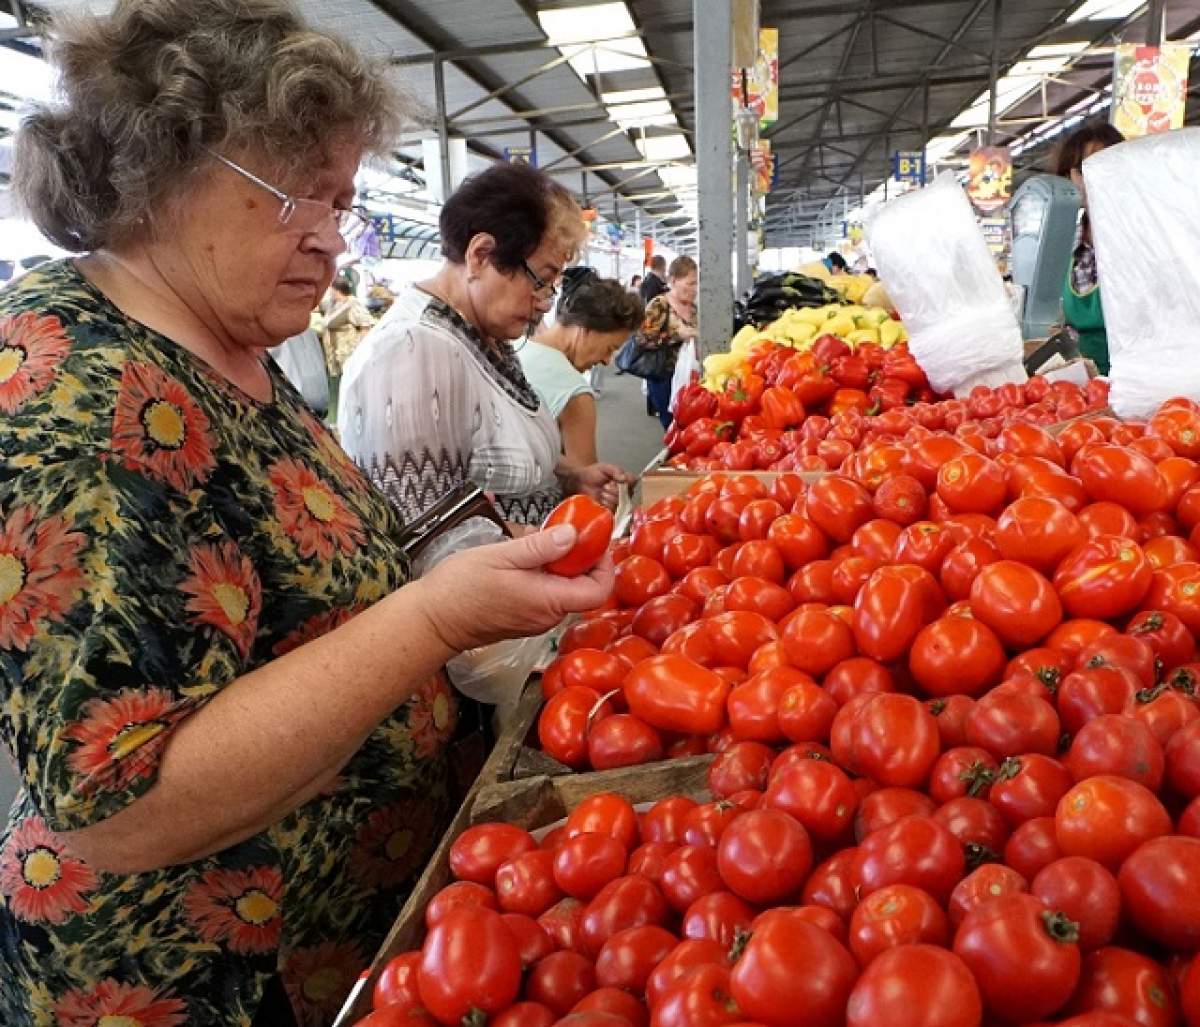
{"points": [[435, 395]]}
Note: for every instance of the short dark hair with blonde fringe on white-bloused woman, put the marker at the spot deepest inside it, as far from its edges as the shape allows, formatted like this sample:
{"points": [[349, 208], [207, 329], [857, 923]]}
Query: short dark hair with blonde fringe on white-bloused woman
{"points": [[518, 206]]}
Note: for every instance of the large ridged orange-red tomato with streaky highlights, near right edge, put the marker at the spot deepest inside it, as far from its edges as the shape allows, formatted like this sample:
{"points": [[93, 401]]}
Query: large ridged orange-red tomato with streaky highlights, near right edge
{"points": [[1103, 579]]}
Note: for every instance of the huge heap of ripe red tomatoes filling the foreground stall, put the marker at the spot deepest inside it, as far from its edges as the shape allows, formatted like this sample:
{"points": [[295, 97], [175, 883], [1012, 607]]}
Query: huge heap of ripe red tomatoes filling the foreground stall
{"points": [[952, 701]]}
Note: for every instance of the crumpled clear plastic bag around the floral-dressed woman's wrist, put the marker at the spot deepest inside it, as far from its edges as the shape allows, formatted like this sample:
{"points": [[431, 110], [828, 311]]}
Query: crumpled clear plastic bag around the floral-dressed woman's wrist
{"points": [[496, 674]]}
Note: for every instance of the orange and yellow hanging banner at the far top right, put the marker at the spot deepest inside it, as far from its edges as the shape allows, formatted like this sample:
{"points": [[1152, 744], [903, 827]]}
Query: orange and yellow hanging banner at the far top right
{"points": [[1150, 87]]}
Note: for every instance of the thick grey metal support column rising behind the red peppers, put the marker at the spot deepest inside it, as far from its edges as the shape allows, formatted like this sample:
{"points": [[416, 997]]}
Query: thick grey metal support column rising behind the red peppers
{"points": [[713, 63]]}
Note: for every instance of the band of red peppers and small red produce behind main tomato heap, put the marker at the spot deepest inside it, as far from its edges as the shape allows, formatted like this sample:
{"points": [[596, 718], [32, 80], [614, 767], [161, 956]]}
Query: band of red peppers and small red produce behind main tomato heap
{"points": [[775, 421]]}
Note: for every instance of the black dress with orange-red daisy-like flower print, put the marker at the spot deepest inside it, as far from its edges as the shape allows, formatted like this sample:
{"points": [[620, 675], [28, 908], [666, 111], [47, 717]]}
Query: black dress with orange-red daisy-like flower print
{"points": [[161, 534]]}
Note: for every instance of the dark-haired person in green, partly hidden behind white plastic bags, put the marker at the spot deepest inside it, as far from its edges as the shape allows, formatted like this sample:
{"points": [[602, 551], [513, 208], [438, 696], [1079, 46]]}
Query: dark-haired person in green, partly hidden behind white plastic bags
{"points": [[1082, 308]]}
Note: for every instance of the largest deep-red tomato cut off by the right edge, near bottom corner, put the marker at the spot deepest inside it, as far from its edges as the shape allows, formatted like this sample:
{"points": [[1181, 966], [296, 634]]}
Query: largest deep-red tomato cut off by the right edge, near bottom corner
{"points": [[1160, 893]]}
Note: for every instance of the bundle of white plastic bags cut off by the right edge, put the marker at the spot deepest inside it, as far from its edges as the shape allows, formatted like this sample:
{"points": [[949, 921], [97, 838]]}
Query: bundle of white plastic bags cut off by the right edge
{"points": [[1145, 217]]}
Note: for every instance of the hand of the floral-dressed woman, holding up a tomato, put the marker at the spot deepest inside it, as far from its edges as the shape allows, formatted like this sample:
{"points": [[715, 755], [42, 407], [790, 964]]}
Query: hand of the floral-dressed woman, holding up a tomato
{"points": [[491, 593]]}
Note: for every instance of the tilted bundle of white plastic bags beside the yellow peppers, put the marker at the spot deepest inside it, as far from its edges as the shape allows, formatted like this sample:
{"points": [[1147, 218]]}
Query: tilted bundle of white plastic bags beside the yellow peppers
{"points": [[944, 281]]}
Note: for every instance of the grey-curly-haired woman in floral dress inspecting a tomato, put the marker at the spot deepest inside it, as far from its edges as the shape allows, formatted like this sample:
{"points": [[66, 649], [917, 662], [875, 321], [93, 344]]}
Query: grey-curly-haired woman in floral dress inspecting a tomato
{"points": [[224, 700]]}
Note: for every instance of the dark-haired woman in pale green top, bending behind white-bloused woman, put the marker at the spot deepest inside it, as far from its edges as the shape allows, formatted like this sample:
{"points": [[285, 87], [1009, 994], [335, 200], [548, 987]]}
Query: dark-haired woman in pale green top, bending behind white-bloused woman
{"points": [[595, 317]]}
